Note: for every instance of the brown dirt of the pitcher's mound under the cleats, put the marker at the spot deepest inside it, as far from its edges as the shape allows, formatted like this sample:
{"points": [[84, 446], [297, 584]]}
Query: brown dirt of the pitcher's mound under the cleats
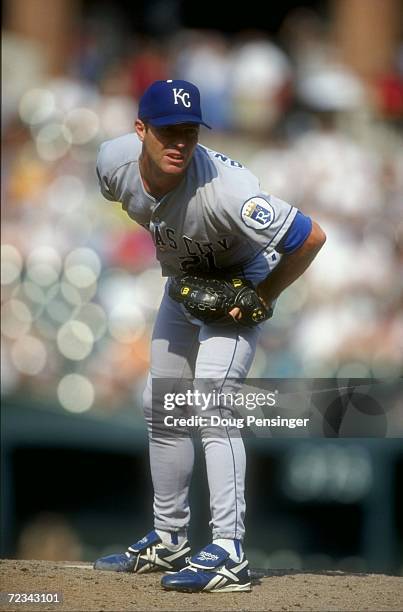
{"points": [[83, 588]]}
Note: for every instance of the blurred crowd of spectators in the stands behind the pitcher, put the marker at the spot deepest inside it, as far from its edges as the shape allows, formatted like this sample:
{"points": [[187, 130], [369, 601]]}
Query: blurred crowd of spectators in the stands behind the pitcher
{"points": [[309, 97]]}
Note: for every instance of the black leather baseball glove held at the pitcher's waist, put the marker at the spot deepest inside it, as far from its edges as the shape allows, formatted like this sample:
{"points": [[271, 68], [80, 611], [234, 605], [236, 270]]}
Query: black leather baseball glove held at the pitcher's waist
{"points": [[210, 299]]}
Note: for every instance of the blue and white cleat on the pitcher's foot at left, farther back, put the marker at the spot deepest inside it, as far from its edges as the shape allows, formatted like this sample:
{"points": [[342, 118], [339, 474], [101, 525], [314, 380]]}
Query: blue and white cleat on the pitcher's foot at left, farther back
{"points": [[146, 555]]}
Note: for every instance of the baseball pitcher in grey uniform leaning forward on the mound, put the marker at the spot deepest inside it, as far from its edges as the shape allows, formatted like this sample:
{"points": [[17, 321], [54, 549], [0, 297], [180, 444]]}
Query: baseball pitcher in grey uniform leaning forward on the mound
{"points": [[208, 218]]}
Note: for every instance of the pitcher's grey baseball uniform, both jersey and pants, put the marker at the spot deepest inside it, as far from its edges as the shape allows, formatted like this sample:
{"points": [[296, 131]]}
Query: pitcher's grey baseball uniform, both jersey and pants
{"points": [[217, 220]]}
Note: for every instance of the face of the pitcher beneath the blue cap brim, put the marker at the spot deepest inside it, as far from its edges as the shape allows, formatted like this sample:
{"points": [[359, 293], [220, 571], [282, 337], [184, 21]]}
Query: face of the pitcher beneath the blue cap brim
{"points": [[170, 148]]}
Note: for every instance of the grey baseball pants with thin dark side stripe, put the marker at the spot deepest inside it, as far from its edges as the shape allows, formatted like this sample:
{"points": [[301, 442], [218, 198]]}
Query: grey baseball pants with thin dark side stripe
{"points": [[183, 347]]}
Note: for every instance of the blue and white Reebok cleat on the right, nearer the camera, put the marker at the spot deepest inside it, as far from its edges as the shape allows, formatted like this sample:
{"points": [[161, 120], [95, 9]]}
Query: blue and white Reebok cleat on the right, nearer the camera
{"points": [[211, 570]]}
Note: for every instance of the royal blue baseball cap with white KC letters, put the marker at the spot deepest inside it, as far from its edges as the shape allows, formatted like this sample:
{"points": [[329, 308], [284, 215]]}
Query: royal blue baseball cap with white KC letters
{"points": [[171, 102]]}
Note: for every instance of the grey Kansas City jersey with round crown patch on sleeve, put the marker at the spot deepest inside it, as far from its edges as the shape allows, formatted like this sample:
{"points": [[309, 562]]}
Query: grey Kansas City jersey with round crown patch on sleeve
{"points": [[216, 221]]}
